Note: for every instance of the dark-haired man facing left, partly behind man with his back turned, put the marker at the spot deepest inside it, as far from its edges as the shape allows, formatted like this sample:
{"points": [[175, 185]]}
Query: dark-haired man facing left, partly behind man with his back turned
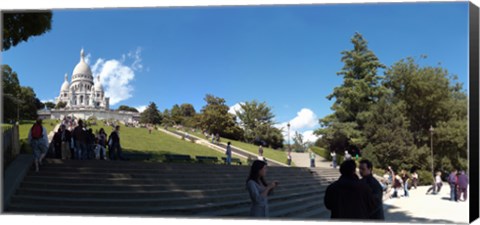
{"points": [[366, 168]]}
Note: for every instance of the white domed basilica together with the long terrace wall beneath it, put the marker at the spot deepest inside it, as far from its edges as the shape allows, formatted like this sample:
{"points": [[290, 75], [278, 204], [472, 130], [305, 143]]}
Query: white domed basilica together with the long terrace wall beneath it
{"points": [[85, 98]]}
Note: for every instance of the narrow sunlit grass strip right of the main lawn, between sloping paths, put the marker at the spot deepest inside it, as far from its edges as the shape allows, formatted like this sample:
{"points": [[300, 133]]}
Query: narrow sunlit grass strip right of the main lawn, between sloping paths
{"points": [[269, 153]]}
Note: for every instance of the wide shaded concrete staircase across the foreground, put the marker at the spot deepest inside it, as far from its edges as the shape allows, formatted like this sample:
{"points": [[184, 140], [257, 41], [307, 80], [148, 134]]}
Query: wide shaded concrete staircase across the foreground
{"points": [[166, 189]]}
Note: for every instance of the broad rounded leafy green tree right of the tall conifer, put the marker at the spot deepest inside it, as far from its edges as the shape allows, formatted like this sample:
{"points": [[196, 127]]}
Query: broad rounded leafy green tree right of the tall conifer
{"points": [[426, 92]]}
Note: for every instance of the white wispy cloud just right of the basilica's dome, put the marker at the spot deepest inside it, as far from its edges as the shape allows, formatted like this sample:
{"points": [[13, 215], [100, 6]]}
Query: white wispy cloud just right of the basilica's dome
{"points": [[116, 75]]}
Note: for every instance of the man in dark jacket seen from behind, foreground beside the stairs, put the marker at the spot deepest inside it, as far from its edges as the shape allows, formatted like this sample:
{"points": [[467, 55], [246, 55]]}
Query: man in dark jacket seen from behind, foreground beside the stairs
{"points": [[348, 197]]}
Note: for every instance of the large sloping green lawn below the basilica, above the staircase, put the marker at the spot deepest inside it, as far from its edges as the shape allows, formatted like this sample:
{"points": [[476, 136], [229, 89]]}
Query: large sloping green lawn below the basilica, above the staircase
{"points": [[138, 140]]}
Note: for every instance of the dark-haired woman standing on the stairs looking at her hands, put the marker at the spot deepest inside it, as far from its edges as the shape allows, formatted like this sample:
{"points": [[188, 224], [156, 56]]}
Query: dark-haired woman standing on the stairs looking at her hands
{"points": [[258, 189]]}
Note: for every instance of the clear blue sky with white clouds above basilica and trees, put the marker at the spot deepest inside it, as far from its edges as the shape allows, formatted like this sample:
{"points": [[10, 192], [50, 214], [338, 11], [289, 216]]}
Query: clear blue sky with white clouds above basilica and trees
{"points": [[287, 56]]}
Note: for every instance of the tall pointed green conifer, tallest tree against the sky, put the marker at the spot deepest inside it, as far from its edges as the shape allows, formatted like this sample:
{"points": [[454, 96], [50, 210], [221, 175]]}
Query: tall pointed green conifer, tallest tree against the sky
{"points": [[360, 89]]}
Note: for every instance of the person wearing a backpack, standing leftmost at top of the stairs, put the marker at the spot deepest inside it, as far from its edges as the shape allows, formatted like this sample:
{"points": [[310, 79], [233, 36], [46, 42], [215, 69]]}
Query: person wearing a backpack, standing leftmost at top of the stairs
{"points": [[38, 139]]}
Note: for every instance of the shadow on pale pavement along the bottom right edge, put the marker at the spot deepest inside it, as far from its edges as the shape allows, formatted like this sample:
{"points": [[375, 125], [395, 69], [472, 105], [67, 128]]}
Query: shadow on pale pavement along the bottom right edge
{"points": [[397, 216]]}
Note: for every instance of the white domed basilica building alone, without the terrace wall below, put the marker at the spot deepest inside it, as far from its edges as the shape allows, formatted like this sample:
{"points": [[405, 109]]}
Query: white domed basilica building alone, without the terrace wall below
{"points": [[83, 92]]}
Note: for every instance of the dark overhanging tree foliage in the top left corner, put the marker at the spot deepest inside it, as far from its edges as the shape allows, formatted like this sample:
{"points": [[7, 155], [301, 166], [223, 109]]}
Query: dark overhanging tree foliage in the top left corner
{"points": [[19, 27]]}
